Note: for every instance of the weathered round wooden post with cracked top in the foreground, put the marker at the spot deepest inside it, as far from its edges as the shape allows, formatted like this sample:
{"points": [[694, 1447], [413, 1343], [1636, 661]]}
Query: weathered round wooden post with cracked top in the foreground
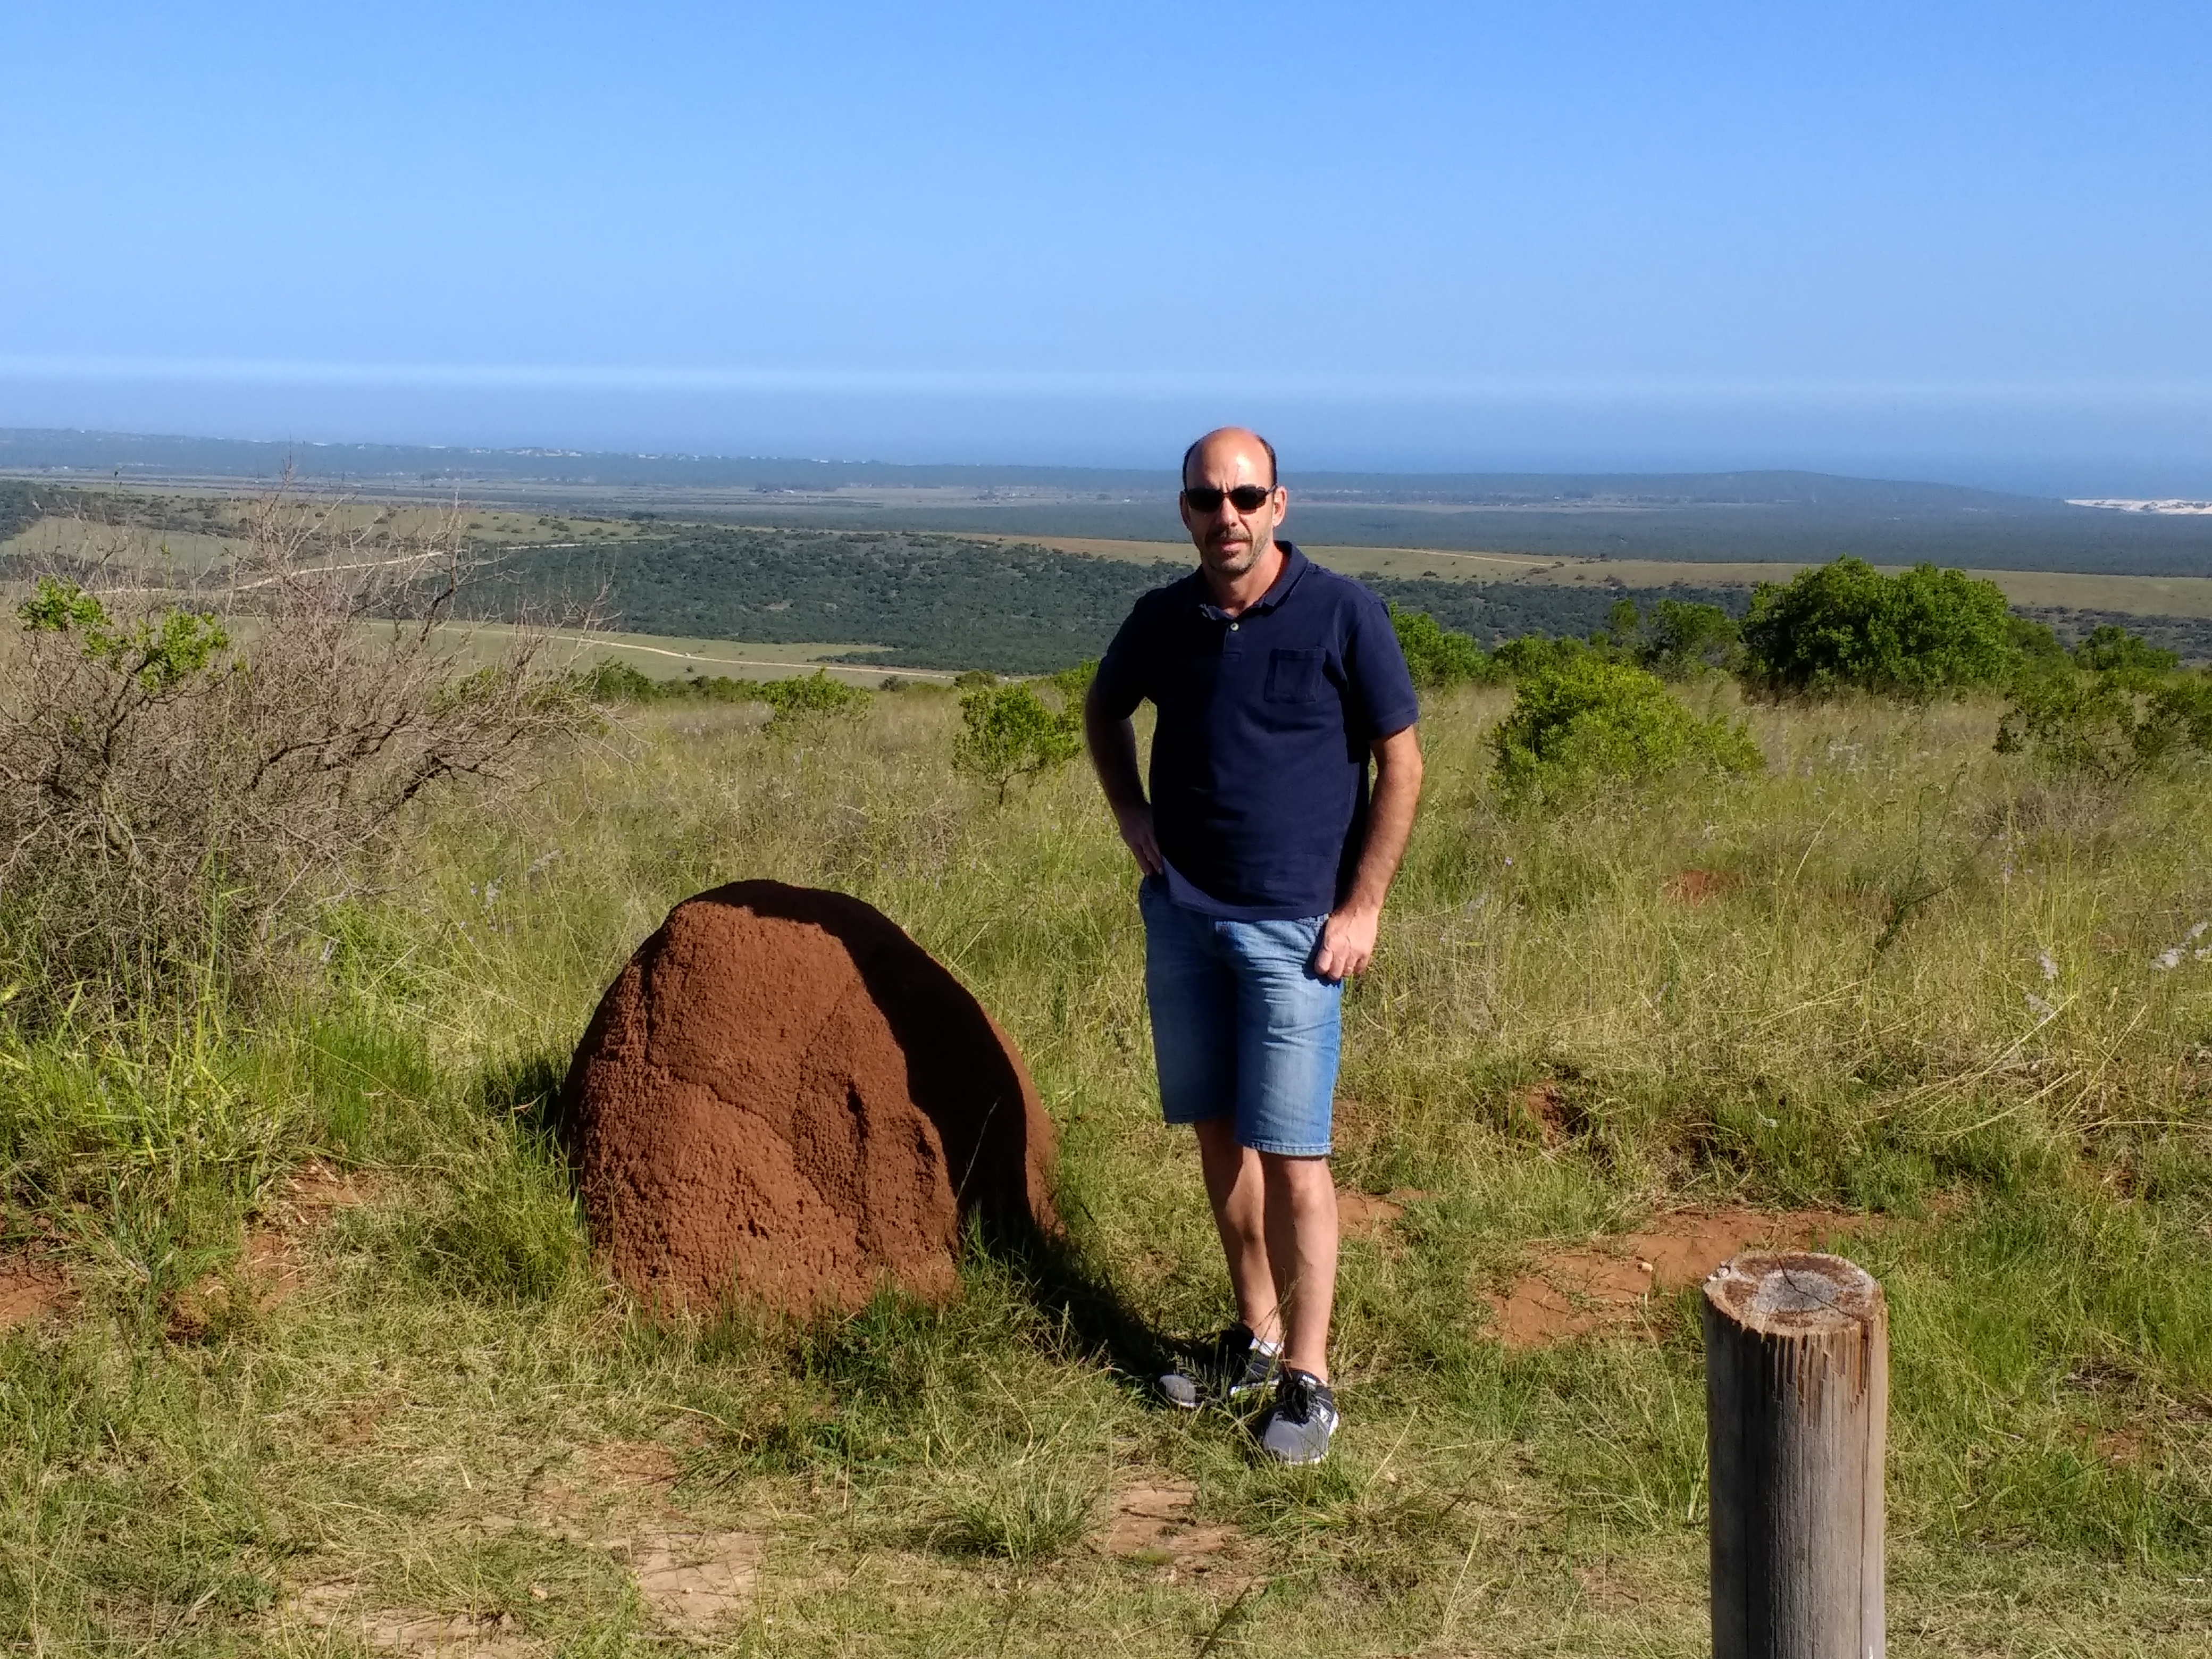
{"points": [[1797, 1401]]}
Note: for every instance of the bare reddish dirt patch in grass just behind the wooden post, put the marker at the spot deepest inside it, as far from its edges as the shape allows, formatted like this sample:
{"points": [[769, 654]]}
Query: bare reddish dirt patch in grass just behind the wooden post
{"points": [[1607, 1286]]}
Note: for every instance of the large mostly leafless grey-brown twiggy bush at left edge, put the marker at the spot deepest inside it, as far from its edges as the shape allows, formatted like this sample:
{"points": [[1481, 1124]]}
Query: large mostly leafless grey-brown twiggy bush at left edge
{"points": [[191, 764]]}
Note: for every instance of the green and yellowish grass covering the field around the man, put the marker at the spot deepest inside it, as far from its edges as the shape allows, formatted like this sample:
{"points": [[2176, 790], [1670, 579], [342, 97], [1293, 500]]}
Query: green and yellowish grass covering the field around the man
{"points": [[1923, 990]]}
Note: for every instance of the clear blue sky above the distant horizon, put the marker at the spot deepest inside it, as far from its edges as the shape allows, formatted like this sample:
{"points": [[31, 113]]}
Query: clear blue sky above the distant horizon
{"points": [[1941, 240]]}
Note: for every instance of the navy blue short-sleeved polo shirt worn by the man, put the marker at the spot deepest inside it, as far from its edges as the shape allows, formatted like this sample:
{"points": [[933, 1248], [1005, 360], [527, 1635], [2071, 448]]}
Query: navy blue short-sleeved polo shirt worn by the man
{"points": [[1260, 758]]}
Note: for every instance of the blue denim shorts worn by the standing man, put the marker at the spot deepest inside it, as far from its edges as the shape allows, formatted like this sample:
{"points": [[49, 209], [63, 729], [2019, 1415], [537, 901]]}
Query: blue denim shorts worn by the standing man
{"points": [[1242, 1023]]}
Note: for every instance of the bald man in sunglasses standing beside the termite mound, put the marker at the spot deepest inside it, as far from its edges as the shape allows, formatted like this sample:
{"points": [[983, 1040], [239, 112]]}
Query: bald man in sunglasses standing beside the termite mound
{"points": [[1266, 864]]}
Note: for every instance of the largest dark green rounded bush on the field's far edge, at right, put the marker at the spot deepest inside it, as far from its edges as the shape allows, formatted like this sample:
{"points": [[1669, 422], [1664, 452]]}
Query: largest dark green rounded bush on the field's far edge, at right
{"points": [[1848, 625]]}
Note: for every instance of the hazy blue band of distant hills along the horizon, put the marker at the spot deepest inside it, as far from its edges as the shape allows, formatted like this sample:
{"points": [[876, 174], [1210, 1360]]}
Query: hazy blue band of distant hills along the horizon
{"points": [[1746, 517]]}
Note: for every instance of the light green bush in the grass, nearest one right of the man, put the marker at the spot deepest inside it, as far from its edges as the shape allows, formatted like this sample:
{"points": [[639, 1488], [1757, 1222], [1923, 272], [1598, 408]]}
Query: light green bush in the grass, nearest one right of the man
{"points": [[1589, 720]]}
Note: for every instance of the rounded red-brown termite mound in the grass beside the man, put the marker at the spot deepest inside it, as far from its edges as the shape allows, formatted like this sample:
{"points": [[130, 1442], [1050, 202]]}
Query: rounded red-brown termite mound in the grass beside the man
{"points": [[789, 1100]]}
